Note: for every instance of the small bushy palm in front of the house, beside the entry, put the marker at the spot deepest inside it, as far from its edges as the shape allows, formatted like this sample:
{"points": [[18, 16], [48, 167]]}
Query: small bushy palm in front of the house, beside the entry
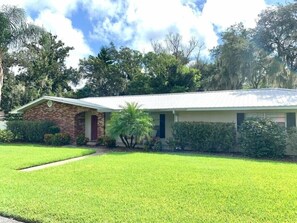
{"points": [[130, 124]]}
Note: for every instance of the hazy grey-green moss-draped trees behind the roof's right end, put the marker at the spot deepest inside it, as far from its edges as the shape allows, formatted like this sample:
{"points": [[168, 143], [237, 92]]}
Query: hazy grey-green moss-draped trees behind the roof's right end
{"points": [[263, 57]]}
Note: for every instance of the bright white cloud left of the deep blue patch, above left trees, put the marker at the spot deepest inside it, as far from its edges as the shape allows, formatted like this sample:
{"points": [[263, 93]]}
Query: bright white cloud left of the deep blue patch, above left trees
{"points": [[61, 26]]}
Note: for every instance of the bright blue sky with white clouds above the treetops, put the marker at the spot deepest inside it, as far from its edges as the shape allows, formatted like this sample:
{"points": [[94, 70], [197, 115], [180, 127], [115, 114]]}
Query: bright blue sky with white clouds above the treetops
{"points": [[87, 25]]}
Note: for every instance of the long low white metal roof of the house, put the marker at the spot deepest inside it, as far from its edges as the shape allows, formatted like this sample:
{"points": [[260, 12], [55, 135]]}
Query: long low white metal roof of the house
{"points": [[254, 99]]}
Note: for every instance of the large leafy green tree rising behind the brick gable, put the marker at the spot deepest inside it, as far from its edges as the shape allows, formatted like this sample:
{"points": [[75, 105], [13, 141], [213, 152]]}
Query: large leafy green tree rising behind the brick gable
{"points": [[44, 69]]}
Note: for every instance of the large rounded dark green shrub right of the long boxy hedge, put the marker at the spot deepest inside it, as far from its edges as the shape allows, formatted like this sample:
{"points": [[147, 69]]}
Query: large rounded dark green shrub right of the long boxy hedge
{"points": [[260, 137]]}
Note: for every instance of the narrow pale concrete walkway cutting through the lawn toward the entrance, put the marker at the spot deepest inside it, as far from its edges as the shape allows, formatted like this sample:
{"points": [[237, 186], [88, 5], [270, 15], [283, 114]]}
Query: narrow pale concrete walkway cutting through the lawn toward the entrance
{"points": [[59, 163]]}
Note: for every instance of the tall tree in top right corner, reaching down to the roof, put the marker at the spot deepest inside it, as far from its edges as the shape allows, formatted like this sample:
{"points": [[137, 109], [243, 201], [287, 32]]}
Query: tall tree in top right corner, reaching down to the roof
{"points": [[276, 34]]}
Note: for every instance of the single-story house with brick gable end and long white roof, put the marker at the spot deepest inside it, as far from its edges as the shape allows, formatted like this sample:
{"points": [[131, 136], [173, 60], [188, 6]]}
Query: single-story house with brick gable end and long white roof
{"points": [[89, 115]]}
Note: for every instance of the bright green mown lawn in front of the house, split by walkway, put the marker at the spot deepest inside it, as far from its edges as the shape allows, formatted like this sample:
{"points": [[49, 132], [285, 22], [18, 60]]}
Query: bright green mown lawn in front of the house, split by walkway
{"points": [[143, 187]]}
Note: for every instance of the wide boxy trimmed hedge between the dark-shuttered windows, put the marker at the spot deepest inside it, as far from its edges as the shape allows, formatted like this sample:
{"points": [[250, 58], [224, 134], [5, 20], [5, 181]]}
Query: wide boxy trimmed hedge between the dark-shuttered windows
{"points": [[204, 136]]}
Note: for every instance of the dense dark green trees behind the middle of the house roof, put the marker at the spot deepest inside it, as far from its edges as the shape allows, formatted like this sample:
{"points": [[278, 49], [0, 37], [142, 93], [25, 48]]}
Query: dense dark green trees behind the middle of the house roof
{"points": [[126, 71]]}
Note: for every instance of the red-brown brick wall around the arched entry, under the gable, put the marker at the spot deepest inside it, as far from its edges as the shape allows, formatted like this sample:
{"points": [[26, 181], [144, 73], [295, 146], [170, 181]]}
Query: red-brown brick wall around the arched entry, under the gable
{"points": [[69, 118]]}
